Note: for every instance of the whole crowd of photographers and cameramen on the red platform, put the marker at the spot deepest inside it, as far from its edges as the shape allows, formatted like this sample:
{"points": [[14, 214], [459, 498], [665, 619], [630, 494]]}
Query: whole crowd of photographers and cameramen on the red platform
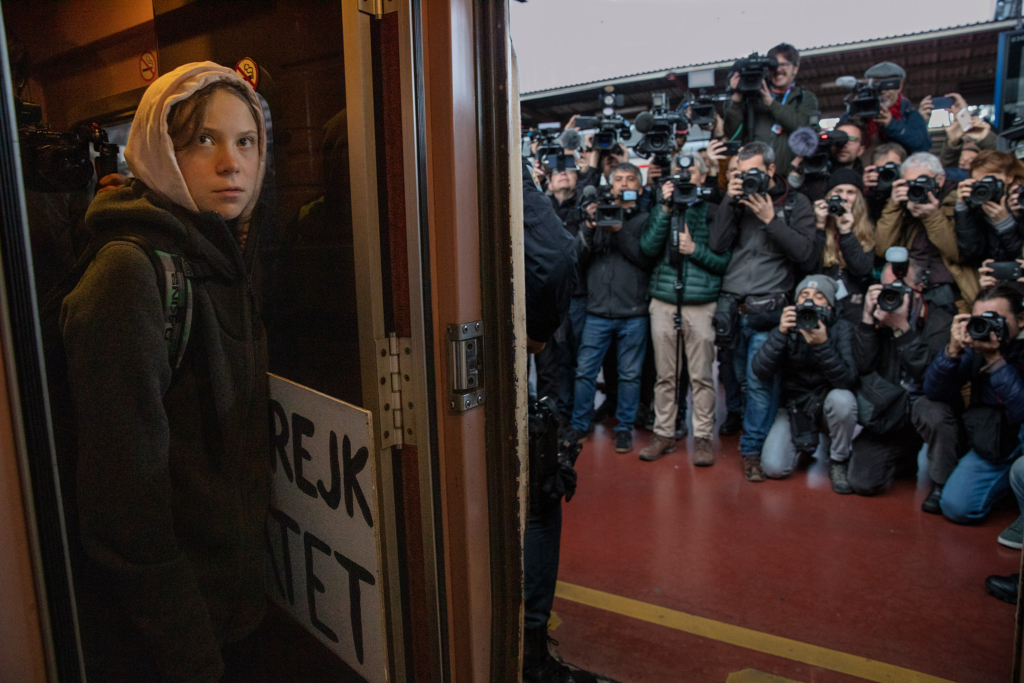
{"points": [[862, 295]]}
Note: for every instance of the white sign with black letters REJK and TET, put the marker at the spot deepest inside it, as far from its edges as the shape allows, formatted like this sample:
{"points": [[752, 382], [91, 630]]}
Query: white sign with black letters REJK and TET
{"points": [[323, 565]]}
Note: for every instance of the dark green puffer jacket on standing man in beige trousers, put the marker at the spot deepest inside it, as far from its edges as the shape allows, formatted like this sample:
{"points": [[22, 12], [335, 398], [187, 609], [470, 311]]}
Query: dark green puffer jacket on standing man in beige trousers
{"points": [[702, 271]]}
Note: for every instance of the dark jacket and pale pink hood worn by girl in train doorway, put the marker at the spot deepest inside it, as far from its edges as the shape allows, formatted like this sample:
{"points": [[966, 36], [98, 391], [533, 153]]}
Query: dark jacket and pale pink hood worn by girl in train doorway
{"points": [[172, 484]]}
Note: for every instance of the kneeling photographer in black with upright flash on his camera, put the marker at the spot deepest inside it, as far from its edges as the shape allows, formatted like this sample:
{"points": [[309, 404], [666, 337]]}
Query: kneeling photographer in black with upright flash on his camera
{"points": [[897, 339]]}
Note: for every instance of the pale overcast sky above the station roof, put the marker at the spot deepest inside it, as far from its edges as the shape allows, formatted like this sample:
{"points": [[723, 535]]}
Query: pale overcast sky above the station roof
{"points": [[564, 42]]}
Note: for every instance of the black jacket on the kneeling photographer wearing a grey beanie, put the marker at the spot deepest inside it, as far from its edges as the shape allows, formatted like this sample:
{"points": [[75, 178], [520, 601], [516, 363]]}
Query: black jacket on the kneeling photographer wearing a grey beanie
{"points": [[808, 369]]}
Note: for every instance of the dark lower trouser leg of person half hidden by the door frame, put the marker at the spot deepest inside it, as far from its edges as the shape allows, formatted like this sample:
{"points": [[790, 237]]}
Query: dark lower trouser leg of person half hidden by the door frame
{"points": [[540, 563]]}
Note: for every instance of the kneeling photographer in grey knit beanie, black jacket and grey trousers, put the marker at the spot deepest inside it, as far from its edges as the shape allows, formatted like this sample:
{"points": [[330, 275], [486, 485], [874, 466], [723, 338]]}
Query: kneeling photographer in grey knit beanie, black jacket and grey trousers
{"points": [[810, 350]]}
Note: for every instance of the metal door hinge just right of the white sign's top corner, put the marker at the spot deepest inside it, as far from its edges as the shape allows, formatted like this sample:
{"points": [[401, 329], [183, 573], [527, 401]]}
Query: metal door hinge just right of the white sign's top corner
{"points": [[395, 396]]}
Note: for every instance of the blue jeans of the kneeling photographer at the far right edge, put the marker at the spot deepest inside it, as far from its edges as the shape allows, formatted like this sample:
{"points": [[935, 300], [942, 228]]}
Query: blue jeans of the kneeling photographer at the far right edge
{"points": [[975, 486]]}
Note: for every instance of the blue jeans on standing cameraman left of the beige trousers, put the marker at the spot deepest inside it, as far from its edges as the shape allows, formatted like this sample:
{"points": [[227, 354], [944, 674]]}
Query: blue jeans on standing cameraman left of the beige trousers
{"points": [[631, 334]]}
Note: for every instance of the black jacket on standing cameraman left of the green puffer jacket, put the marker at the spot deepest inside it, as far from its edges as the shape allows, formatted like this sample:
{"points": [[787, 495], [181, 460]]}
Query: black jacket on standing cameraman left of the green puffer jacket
{"points": [[618, 271]]}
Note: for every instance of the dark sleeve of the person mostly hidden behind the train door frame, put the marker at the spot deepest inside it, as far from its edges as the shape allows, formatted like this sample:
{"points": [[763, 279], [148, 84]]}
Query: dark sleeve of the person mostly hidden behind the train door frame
{"points": [[551, 258]]}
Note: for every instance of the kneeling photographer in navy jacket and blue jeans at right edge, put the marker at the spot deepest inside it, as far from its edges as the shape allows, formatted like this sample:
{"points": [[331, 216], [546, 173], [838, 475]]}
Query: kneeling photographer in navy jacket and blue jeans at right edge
{"points": [[985, 350]]}
